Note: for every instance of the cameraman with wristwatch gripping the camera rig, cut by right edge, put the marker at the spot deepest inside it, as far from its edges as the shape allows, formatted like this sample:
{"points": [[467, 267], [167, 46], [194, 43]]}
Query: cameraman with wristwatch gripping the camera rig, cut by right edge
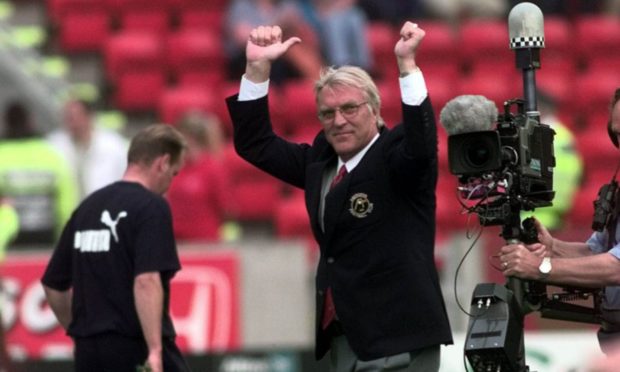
{"points": [[595, 263]]}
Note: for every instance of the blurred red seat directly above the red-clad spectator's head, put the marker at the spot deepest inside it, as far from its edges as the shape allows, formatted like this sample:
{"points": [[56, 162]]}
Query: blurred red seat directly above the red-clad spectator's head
{"points": [[176, 101]]}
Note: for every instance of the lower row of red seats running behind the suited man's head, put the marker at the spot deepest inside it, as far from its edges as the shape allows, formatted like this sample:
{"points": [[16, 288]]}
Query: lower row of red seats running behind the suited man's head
{"points": [[583, 100]]}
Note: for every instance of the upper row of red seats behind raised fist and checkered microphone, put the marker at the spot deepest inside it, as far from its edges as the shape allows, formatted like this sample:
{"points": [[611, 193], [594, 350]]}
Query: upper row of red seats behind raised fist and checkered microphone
{"points": [[480, 45]]}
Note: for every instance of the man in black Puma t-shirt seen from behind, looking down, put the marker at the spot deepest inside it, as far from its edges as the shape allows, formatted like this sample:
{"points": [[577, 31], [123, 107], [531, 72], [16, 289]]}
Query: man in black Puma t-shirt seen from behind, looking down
{"points": [[108, 280]]}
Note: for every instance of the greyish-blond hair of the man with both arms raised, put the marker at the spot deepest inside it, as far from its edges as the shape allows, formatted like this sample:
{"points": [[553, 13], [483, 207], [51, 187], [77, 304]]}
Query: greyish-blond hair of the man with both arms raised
{"points": [[351, 76]]}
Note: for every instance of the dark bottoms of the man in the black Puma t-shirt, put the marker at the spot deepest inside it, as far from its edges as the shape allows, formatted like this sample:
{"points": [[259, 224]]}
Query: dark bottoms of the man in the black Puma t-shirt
{"points": [[111, 352]]}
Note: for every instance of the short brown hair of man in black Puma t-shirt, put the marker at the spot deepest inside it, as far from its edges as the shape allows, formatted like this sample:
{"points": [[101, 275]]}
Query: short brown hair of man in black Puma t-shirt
{"points": [[154, 141]]}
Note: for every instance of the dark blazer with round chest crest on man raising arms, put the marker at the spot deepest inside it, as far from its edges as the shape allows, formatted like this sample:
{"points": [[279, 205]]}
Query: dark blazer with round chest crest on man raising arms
{"points": [[377, 248]]}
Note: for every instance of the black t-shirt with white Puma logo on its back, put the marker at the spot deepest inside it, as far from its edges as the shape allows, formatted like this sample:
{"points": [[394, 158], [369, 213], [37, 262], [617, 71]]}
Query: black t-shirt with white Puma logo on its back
{"points": [[118, 232]]}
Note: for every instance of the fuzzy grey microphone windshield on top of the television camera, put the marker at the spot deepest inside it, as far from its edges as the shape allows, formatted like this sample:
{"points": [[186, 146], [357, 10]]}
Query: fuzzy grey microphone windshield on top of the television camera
{"points": [[468, 113]]}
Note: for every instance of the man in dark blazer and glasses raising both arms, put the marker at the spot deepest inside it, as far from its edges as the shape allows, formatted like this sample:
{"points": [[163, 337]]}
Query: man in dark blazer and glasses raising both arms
{"points": [[370, 195]]}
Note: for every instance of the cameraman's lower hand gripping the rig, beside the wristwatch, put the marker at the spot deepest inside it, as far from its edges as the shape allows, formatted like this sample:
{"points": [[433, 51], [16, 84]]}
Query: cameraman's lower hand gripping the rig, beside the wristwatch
{"points": [[519, 261]]}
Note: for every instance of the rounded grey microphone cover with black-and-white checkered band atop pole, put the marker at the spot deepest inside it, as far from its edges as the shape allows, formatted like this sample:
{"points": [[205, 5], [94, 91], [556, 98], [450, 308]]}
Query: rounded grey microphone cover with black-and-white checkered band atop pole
{"points": [[526, 26]]}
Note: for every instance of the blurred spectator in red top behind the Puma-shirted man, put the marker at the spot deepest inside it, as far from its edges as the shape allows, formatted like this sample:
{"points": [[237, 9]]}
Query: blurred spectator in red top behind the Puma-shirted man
{"points": [[200, 194]]}
